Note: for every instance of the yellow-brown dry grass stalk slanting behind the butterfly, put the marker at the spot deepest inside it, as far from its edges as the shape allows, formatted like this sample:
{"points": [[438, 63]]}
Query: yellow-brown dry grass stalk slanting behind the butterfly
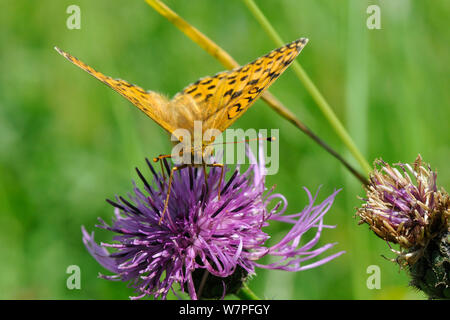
{"points": [[226, 60]]}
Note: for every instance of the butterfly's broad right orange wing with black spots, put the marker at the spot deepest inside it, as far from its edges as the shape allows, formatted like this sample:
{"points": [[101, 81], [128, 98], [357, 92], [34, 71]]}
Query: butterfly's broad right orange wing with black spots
{"points": [[224, 97]]}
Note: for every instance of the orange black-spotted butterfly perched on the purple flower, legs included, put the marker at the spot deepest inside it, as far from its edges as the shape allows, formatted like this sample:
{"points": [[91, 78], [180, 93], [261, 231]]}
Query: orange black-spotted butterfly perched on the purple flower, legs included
{"points": [[217, 101]]}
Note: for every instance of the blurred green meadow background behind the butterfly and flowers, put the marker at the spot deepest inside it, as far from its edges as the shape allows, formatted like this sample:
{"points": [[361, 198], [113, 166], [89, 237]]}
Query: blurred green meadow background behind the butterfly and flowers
{"points": [[67, 142]]}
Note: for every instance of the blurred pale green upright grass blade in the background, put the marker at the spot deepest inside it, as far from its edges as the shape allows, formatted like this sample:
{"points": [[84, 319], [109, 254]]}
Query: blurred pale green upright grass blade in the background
{"points": [[357, 89]]}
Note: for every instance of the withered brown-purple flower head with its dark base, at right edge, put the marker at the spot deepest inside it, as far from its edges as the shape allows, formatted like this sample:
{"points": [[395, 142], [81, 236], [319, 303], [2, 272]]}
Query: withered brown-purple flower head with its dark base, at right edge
{"points": [[404, 206]]}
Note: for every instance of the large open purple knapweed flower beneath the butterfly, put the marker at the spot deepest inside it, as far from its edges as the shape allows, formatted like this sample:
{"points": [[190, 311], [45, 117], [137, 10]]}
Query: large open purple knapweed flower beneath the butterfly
{"points": [[203, 241]]}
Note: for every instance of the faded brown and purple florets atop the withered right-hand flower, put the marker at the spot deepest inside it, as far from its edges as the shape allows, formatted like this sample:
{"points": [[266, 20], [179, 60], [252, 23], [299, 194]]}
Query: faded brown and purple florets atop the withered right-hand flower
{"points": [[404, 204]]}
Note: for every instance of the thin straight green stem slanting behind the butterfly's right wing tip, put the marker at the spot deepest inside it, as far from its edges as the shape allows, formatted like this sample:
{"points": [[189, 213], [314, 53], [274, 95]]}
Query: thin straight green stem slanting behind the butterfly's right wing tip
{"points": [[312, 89]]}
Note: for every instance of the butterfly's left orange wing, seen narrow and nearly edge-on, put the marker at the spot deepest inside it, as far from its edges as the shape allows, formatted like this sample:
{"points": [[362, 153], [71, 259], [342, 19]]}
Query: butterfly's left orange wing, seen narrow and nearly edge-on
{"points": [[151, 103]]}
